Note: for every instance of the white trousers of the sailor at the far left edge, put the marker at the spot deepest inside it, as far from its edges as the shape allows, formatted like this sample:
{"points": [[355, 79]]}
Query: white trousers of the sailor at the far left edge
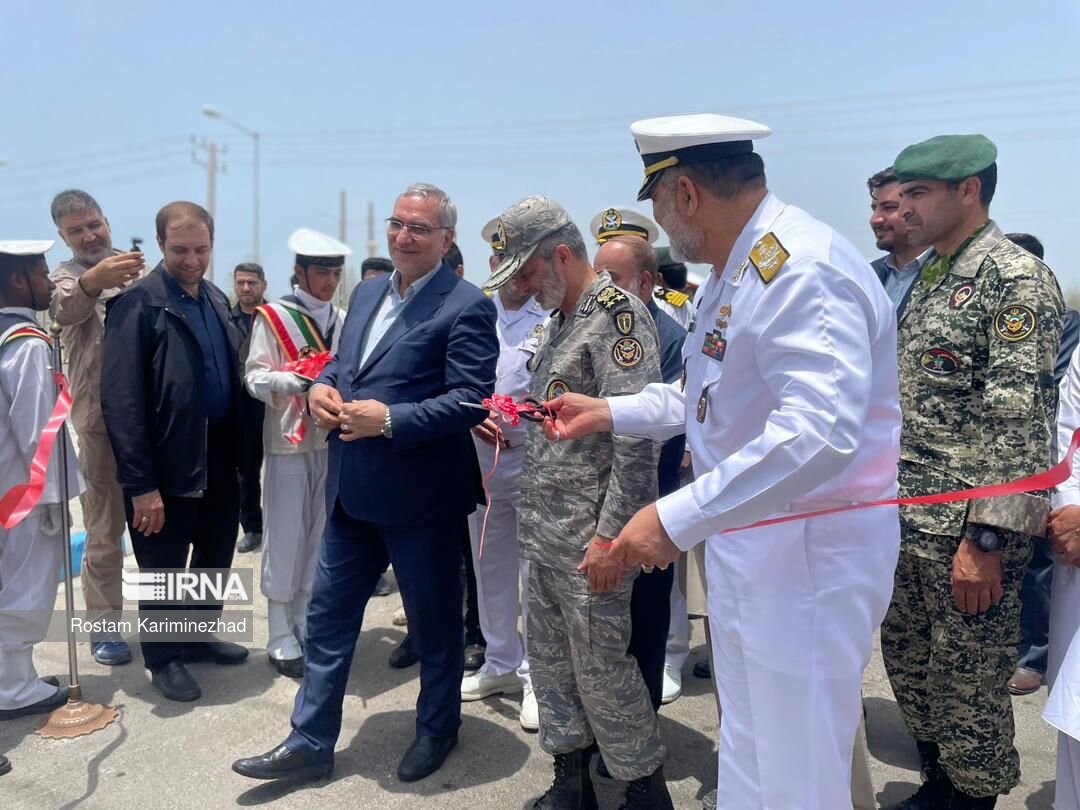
{"points": [[32, 555]]}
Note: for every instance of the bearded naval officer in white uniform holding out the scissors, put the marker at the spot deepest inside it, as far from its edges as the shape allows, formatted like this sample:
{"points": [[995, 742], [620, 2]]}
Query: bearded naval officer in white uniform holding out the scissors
{"points": [[790, 406]]}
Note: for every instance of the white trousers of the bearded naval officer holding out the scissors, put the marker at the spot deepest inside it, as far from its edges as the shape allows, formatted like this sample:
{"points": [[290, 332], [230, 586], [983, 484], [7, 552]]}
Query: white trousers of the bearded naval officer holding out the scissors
{"points": [[793, 610]]}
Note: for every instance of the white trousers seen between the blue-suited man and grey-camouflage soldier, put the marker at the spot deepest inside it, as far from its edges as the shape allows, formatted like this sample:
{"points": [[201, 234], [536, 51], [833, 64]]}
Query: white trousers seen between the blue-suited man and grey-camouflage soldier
{"points": [[503, 580]]}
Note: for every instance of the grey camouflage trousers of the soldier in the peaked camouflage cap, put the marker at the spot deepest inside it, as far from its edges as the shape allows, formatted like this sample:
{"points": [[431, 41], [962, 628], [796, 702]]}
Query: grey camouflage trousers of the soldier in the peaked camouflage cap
{"points": [[588, 687]]}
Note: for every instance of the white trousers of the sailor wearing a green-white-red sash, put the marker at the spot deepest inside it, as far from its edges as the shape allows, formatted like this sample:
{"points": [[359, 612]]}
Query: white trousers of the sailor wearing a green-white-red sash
{"points": [[294, 517]]}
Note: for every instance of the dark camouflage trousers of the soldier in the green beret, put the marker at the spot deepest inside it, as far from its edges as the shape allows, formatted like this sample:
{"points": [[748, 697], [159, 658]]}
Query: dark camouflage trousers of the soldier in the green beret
{"points": [[950, 671]]}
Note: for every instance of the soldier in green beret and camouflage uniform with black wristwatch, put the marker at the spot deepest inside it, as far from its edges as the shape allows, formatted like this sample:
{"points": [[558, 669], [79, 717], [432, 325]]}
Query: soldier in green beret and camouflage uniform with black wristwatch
{"points": [[978, 344]]}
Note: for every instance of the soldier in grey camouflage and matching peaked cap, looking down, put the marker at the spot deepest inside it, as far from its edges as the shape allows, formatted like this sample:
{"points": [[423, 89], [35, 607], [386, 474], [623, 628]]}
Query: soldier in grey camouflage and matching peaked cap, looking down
{"points": [[576, 497]]}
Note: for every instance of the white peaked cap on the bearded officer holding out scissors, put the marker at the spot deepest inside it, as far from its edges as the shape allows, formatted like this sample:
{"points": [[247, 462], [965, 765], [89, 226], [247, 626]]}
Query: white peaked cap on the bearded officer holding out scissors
{"points": [[686, 140]]}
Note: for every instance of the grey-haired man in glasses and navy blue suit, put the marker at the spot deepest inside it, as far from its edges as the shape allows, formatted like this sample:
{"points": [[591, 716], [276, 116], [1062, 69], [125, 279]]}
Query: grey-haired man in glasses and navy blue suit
{"points": [[416, 344]]}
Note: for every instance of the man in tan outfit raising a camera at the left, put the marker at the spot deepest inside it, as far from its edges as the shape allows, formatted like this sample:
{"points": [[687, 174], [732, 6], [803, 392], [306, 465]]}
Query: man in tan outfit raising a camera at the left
{"points": [[96, 274]]}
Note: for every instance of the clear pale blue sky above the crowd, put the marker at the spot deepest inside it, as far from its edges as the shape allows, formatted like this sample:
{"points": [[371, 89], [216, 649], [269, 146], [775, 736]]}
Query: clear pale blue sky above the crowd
{"points": [[494, 102]]}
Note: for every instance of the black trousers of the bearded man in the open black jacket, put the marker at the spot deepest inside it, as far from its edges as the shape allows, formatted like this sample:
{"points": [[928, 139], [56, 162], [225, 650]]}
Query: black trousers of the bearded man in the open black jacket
{"points": [[204, 528]]}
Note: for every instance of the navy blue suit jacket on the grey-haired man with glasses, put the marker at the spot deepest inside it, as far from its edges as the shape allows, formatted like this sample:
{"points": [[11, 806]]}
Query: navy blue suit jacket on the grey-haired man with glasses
{"points": [[441, 352]]}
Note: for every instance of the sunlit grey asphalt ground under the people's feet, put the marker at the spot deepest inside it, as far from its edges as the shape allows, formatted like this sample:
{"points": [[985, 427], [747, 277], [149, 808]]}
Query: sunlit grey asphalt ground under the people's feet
{"points": [[178, 755]]}
